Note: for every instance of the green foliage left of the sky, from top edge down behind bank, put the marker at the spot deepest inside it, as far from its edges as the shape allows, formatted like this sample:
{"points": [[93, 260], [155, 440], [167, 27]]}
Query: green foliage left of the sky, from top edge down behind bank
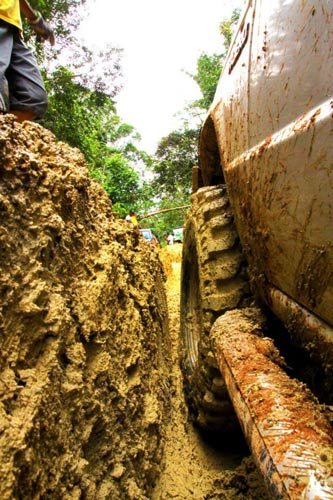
{"points": [[81, 104]]}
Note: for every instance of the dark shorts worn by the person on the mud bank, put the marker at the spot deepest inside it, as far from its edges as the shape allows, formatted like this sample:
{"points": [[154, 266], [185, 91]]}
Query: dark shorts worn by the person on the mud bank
{"points": [[21, 84]]}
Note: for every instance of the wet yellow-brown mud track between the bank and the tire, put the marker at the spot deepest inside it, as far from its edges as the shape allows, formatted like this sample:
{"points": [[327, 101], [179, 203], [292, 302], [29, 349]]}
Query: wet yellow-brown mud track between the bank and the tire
{"points": [[192, 468]]}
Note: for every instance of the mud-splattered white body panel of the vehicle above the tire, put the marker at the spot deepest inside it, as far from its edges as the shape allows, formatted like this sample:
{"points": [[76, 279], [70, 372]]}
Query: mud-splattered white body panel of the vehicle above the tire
{"points": [[273, 123]]}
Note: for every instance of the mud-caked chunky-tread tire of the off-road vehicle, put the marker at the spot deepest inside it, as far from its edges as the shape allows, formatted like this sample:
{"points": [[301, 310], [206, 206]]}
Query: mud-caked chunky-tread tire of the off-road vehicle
{"points": [[214, 280]]}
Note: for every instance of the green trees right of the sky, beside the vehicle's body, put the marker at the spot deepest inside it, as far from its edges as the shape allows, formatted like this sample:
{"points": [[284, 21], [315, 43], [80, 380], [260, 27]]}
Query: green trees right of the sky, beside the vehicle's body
{"points": [[177, 153]]}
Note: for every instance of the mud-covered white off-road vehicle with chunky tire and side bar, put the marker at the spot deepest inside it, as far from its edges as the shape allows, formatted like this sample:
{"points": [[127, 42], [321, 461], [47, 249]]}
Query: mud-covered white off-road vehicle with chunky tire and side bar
{"points": [[258, 248]]}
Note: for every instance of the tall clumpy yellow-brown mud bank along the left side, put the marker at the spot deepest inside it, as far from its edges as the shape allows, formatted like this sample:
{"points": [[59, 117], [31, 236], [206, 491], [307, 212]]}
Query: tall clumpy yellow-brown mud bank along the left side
{"points": [[83, 322]]}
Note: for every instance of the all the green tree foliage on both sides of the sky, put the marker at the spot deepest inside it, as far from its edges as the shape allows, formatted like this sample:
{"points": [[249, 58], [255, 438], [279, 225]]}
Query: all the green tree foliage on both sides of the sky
{"points": [[82, 112]]}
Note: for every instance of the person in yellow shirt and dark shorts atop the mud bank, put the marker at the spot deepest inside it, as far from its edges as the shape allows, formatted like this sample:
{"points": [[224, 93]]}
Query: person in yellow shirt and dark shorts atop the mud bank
{"points": [[22, 90]]}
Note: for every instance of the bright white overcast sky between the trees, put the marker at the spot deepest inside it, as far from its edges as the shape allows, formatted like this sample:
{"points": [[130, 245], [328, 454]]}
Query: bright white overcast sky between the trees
{"points": [[161, 39]]}
